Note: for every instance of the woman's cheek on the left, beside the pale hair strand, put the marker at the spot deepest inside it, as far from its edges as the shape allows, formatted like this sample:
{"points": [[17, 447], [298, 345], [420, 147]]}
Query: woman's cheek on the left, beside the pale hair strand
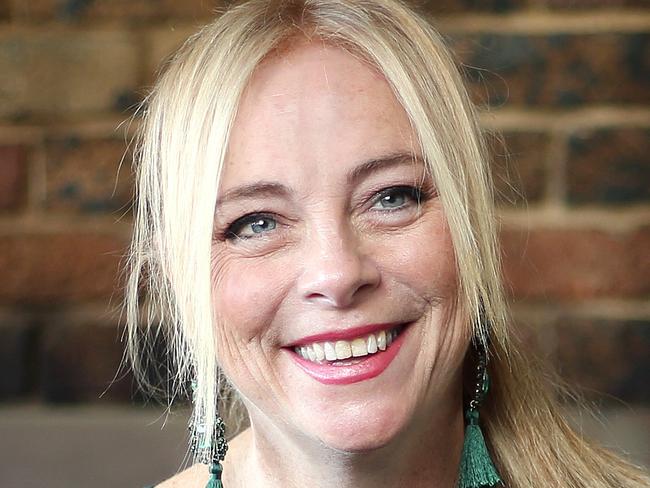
{"points": [[246, 295]]}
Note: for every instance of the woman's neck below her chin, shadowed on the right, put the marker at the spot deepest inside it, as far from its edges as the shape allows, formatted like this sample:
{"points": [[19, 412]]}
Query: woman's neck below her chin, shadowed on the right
{"points": [[426, 454]]}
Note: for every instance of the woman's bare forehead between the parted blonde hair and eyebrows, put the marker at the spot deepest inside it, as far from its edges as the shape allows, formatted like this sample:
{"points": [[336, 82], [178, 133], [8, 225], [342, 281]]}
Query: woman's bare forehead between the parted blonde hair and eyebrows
{"points": [[310, 109]]}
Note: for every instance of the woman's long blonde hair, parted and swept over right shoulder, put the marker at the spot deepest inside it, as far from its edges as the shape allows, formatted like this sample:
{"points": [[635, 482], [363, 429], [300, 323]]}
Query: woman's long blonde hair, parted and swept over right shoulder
{"points": [[179, 157]]}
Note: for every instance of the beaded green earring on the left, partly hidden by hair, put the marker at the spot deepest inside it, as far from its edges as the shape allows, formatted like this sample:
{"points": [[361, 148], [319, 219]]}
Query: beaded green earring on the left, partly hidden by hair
{"points": [[209, 449]]}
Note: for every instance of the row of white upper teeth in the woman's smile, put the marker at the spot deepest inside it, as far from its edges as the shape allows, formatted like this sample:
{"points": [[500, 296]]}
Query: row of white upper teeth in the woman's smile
{"points": [[362, 346]]}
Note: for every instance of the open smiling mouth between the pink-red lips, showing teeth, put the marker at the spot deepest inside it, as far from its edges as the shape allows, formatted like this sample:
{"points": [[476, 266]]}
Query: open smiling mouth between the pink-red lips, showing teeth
{"points": [[349, 352]]}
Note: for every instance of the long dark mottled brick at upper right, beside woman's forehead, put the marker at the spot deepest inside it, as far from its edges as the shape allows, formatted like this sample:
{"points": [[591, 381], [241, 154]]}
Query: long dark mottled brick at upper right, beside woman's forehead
{"points": [[559, 70]]}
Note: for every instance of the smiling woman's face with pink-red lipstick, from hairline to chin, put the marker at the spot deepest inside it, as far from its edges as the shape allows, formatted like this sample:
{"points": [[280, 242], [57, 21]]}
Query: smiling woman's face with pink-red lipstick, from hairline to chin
{"points": [[329, 236]]}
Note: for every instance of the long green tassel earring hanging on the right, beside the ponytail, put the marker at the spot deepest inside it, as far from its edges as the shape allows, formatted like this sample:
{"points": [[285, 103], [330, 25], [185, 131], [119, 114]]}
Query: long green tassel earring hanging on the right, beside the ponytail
{"points": [[476, 467]]}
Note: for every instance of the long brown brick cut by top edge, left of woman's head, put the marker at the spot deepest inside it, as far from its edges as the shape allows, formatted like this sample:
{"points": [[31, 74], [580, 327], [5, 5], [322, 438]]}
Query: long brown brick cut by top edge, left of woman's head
{"points": [[128, 10]]}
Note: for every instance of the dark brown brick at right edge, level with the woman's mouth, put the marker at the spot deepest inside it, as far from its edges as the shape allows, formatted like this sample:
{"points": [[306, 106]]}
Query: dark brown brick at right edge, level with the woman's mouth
{"points": [[605, 359]]}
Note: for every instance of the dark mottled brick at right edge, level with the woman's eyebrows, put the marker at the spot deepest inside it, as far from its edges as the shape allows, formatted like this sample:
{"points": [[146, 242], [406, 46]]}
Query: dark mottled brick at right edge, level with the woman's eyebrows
{"points": [[610, 166]]}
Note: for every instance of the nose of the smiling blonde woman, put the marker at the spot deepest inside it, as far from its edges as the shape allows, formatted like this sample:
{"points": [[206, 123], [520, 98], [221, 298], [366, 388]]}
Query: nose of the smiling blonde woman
{"points": [[336, 272]]}
